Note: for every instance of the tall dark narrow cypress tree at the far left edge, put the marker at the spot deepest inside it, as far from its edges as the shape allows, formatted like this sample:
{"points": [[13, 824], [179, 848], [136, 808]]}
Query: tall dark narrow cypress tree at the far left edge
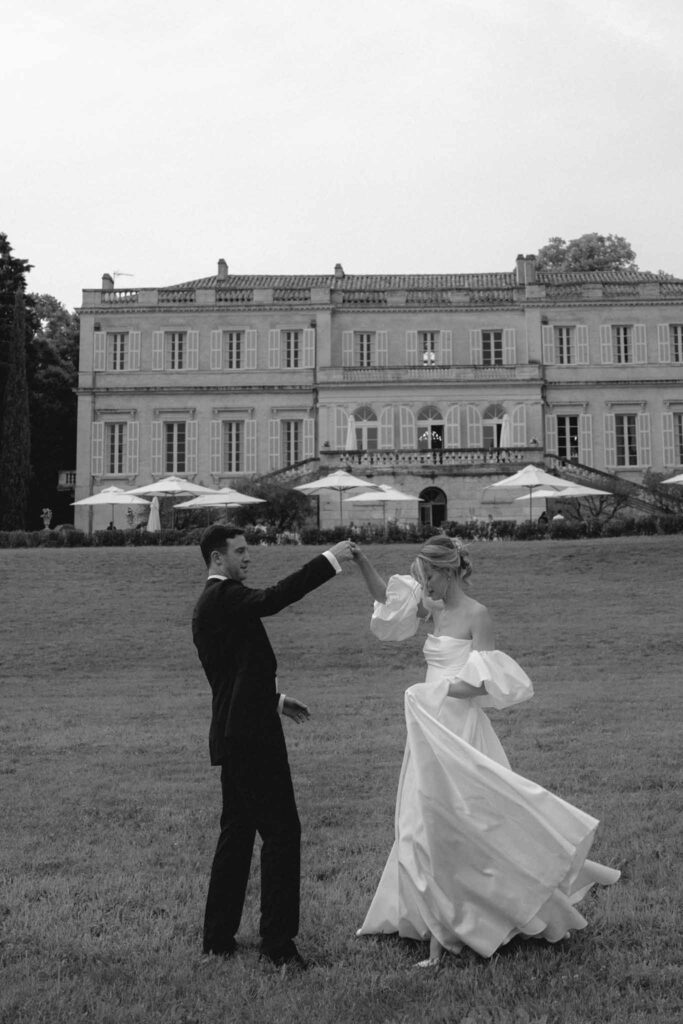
{"points": [[16, 432]]}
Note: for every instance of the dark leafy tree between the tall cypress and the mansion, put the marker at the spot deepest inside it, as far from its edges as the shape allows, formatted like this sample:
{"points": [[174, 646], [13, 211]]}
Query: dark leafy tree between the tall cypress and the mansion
{"points": [[53, 387]]}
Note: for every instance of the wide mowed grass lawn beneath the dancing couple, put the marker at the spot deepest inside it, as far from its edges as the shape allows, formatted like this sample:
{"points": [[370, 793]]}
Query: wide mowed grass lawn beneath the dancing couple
{"points": [[109, 808]]}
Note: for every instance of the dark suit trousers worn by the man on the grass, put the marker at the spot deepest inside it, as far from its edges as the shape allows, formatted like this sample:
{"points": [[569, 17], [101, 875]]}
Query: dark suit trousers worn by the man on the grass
{"points": [[259, 797]]}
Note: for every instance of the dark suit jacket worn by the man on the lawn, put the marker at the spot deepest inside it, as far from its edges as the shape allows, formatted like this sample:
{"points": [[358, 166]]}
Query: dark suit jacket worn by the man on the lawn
{"points": [[238, 659]]}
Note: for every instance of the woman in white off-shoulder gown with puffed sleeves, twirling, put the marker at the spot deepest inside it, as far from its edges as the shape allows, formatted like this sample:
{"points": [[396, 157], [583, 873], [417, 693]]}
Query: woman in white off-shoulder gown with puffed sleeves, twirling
{"points": [[481, 854]]}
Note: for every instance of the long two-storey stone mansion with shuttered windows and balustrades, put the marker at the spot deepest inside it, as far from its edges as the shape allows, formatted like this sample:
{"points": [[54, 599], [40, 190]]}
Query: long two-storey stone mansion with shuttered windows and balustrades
{"points": [[451, 380]]}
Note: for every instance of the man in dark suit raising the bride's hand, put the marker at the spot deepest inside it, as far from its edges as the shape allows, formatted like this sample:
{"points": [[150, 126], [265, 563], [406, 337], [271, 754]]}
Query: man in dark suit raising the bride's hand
{"points": [[246, 740]]}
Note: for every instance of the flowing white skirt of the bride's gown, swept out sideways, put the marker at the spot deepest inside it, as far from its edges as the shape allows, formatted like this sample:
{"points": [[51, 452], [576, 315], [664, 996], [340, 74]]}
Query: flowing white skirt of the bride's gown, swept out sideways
{"points": [[482, 855]]}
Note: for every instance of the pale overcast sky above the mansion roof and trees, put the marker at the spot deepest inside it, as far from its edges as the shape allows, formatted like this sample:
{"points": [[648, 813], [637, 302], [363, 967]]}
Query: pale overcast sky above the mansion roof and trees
{"points": [[418, 137]]}
